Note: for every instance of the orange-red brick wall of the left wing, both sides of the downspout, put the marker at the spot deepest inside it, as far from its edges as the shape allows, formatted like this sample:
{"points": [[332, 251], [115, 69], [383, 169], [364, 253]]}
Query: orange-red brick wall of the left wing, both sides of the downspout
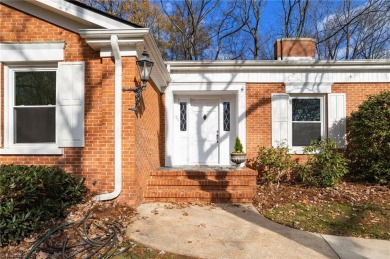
{"points": [[96, 160]]}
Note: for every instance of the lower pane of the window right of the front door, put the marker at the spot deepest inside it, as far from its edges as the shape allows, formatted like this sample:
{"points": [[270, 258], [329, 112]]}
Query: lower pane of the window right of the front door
{"points": [[303, 133]]}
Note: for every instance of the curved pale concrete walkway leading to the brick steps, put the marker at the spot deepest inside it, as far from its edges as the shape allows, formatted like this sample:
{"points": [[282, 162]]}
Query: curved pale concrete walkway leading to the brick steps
{"points": [[227, 231]]}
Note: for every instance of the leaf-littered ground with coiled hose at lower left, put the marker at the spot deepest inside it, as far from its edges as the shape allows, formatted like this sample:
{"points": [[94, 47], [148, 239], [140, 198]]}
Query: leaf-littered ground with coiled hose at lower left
{"points": [[97, 230]]}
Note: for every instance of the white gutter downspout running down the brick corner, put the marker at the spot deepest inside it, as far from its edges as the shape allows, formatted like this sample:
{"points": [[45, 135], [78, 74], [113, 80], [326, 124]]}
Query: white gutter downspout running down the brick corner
{"points": [[118, 125]]}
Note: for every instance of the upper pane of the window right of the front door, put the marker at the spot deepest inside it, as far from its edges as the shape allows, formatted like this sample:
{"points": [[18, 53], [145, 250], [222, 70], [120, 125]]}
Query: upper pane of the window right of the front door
{"points": [[306, 109]]}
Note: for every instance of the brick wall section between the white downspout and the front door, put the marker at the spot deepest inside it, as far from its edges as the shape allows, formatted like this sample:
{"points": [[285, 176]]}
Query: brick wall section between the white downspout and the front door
{"points": [[143, 137]]}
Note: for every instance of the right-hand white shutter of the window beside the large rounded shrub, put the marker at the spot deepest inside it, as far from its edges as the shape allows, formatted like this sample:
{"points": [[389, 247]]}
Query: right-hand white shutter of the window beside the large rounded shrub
{"points": [[337, 119]]}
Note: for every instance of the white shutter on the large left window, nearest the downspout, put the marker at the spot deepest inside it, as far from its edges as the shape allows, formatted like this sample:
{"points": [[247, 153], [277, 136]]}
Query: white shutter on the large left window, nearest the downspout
{"points": [[70, 104]]}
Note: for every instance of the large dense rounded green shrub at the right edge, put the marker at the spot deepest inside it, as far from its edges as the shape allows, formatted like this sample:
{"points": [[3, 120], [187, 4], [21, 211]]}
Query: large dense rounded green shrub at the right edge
{"points": [[369, 140]]}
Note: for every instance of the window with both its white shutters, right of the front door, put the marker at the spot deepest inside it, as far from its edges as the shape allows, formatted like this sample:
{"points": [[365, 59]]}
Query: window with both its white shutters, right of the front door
{"points": [[299, 119]]}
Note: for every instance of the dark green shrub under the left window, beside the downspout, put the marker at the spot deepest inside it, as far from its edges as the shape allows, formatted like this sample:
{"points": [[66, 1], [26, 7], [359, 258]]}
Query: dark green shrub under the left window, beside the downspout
{"points": [[32, 196]]}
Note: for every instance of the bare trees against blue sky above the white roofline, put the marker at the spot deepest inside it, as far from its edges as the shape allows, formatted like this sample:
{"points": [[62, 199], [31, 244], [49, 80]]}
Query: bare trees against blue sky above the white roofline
{"points": [[219, 29]]}
